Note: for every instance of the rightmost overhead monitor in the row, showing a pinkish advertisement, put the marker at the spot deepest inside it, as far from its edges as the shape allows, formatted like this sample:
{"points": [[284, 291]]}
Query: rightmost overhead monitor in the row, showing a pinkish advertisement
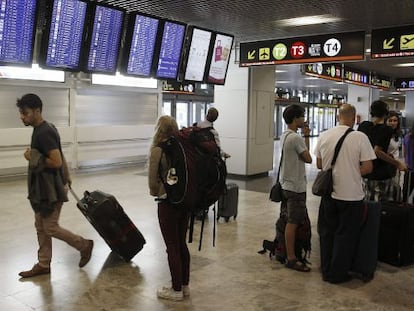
{"points": [[220, 58]]}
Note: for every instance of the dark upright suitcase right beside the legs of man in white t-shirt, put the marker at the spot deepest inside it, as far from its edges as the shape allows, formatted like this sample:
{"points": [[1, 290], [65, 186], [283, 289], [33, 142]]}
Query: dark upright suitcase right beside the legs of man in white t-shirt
{"points": [[365, 260]]}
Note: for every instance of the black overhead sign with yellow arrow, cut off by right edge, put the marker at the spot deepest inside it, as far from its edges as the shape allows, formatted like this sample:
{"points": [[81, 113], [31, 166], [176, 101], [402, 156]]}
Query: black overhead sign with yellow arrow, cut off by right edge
{"points": [[392, 42]]}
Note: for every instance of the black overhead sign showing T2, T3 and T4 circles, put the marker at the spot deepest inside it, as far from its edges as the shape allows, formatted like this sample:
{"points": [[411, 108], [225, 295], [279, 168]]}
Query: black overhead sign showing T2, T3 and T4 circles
{"points": [[323, 48]]}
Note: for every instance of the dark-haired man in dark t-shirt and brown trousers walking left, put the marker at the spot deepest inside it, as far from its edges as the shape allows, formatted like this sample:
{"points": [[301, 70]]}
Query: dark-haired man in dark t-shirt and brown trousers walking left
{"points": [[47, 181]]}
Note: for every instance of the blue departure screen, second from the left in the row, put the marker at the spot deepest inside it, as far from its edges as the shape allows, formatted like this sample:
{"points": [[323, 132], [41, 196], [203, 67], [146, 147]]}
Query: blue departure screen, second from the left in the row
{"points": [[66, 34]]}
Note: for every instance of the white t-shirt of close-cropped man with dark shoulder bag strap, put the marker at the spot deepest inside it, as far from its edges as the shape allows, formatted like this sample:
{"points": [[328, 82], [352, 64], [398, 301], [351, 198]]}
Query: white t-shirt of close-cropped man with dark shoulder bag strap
{"points": [[356, 148]]}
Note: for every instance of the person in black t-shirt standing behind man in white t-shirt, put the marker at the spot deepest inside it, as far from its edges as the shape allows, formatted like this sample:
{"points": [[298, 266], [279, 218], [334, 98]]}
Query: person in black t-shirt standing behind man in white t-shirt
{"points": [[378, 184]]}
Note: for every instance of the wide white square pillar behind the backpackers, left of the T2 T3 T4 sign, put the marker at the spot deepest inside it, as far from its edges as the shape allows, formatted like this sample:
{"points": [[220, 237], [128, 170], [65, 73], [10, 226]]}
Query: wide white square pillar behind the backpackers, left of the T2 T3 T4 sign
{"points": [[245, 124]]}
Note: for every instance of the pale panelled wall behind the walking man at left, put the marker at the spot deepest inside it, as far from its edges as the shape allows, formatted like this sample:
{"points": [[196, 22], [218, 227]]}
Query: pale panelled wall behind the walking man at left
{"points": [[98, 125]]}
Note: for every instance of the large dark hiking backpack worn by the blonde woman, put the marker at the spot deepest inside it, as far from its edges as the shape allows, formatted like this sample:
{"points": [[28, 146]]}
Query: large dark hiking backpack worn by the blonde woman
{"points": [[197, 174]]}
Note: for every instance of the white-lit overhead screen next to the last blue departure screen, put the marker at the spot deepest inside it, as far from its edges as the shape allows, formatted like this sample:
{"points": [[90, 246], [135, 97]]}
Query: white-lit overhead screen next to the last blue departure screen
{"points": [[197, 53]]}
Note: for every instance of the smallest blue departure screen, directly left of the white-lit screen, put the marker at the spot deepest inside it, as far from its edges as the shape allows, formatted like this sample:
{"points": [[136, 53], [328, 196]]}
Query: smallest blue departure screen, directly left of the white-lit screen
{"points": [[169, 58]]}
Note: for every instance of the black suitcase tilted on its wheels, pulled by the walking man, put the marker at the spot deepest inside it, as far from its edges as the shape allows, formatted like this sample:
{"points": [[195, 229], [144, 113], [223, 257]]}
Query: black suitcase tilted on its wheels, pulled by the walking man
{"points": [[107, 216]]}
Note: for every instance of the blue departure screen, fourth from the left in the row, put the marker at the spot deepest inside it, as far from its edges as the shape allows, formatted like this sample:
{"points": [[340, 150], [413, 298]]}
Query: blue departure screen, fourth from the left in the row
{"points": [[142, 45]]}
